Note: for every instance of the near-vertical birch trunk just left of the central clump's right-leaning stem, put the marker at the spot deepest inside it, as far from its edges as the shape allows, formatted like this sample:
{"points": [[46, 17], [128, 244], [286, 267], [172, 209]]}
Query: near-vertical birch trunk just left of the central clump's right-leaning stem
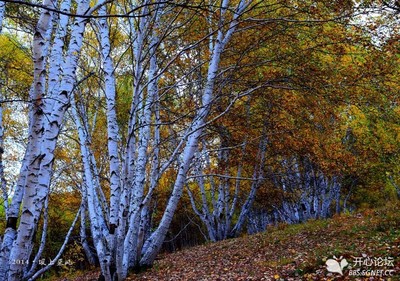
{"points": [[138, 216]]}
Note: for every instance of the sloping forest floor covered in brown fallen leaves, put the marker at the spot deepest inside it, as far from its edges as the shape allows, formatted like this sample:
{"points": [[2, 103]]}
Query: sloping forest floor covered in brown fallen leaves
{"points": [[368, 240]]}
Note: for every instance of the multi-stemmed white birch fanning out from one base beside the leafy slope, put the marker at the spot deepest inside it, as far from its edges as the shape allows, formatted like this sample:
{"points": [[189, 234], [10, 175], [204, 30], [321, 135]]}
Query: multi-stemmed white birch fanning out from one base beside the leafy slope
{"points": [[121, 235]]}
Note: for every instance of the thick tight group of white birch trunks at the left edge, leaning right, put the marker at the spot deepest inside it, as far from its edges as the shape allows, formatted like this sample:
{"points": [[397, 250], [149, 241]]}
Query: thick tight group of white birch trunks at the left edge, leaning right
{"points": [[49, 96]]}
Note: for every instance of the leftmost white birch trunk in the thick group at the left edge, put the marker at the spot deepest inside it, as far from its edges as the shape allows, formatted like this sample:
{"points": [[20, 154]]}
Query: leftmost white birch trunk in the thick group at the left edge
{"points": [[28, 173]]}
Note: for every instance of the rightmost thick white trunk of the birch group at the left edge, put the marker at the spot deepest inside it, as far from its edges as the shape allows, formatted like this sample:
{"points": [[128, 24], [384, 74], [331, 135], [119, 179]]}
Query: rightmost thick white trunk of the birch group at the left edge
{"points": [[37, 183]]}
